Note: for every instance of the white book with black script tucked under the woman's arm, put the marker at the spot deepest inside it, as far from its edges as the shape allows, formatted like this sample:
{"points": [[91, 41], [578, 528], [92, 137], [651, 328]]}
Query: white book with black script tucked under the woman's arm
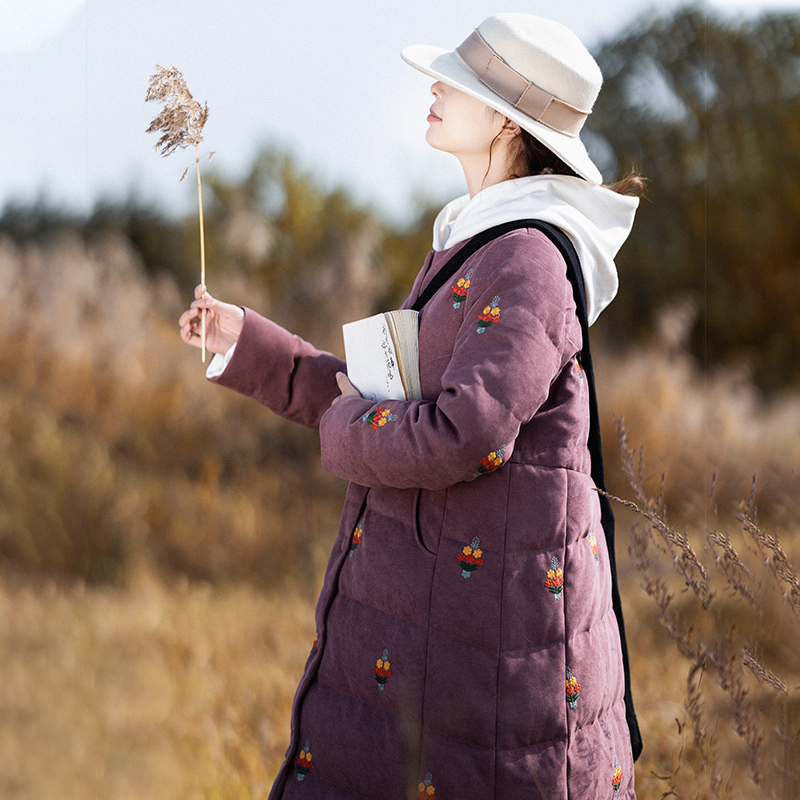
{"points": [[382, 354]]}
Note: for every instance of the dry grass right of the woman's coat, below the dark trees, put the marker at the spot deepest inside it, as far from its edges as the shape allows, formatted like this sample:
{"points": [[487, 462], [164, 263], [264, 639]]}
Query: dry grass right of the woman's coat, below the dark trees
{"points": [[707, 473]]}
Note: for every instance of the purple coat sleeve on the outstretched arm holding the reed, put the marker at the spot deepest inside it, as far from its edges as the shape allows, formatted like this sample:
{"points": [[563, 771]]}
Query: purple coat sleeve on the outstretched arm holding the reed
{"points": [[282, 371]]}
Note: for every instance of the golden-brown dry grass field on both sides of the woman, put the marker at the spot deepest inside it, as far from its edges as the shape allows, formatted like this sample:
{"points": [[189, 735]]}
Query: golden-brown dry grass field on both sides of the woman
{"points": [[163, 543]]}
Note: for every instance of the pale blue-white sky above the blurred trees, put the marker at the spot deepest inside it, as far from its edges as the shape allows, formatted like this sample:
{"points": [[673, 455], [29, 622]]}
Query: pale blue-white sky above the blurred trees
{"points": [[322, 80]]}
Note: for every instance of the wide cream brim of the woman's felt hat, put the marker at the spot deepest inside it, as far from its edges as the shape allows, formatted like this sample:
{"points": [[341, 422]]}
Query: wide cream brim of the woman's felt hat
{"points": [[446, 66]]}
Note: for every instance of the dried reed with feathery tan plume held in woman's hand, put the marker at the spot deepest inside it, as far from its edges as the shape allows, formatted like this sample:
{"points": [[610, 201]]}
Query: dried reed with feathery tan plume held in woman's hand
{"points": [[181, 124]]}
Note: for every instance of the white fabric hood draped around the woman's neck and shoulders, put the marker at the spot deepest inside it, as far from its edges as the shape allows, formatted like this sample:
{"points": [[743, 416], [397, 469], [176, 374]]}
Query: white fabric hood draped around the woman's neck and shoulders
{"points": [[597, 220]]}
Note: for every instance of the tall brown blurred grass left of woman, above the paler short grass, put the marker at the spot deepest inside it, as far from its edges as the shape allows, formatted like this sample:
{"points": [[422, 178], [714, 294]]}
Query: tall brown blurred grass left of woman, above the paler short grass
{"points": [[117, 450]]}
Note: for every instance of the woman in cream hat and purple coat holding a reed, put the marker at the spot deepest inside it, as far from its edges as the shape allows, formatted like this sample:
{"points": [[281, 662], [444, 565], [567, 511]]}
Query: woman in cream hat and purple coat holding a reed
{"points": [[467, 645]]}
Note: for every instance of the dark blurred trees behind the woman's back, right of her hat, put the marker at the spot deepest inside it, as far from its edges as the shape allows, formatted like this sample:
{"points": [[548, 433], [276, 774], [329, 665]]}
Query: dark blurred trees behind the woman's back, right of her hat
{"points": [[709, 111]]}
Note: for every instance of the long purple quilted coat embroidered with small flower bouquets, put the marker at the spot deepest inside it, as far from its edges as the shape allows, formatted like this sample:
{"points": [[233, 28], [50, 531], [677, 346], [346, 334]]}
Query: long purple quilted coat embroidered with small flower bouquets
{"points": [[467, 648]]}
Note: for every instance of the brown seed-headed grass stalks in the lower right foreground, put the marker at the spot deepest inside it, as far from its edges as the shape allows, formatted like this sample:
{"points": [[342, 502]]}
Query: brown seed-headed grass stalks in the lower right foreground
{"points": [[713, 630]]}
